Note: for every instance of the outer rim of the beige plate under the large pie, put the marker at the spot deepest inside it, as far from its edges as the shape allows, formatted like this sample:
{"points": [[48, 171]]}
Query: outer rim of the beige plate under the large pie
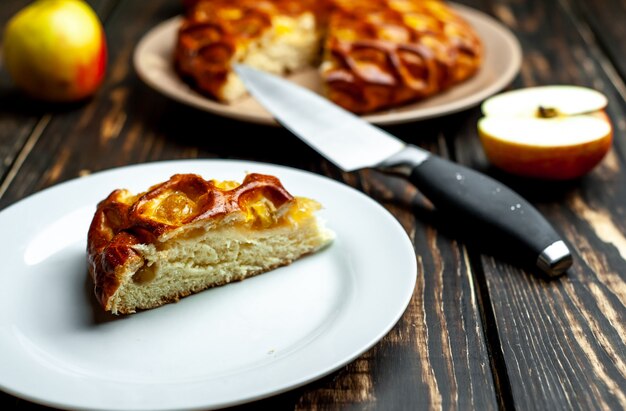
{"points": [[390, 117]]}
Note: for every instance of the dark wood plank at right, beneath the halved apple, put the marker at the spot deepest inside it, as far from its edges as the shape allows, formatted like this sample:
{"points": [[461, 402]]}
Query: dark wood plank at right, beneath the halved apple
{"points": [[562, 341]]}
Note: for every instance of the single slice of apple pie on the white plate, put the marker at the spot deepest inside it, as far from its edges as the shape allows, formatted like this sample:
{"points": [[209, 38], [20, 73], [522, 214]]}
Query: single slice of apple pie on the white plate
{"points": [[188, 234]]}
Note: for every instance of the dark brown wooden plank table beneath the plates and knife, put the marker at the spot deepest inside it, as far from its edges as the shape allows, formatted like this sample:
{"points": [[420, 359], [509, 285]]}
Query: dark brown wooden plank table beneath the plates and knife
{"points": [[479, 333]]}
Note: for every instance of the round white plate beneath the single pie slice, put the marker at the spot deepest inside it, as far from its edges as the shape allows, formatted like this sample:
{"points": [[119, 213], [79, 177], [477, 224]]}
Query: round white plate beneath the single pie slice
{"points": [[220, 347]]}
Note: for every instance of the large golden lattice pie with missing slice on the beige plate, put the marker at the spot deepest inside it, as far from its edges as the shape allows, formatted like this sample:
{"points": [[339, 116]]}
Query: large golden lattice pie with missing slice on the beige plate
{"points": [[375, 54]]}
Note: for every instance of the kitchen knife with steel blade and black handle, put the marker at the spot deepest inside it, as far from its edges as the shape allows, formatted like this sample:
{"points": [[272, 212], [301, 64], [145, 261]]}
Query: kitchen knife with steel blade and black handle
{"points": [[352, 143]]}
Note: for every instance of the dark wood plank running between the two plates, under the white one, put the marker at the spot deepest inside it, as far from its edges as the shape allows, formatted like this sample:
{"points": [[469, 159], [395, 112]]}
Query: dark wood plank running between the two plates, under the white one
{"points": [[435, 356]]}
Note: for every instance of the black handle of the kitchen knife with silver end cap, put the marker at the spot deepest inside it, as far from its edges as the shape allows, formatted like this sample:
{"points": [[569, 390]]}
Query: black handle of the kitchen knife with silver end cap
{"points": [[488, 206]]}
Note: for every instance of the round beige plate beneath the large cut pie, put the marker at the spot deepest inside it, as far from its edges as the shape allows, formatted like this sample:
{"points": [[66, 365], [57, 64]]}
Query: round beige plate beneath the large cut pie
{"points": [[154, 55]]}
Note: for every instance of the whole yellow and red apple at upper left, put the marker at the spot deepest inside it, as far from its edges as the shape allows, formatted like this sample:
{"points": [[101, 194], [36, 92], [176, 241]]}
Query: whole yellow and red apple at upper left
{"points": [[55, 50]]}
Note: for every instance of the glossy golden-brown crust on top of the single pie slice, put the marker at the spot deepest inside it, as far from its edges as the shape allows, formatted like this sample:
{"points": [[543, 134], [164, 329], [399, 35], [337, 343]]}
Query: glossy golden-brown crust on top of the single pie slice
{"points": [[123, 221]]}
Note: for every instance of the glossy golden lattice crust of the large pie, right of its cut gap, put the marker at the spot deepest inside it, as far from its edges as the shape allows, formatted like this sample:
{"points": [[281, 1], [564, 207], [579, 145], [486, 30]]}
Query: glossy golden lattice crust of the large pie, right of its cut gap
{"points": [[384, 53]]}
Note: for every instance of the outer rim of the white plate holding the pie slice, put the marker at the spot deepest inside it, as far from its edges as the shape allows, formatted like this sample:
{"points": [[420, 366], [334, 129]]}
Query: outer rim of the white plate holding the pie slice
{"points": [[242, 165]]}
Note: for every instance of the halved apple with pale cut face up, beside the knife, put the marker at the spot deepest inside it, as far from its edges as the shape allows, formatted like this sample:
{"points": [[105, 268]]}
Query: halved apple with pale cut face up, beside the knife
{"points": [[549, 132]]}
